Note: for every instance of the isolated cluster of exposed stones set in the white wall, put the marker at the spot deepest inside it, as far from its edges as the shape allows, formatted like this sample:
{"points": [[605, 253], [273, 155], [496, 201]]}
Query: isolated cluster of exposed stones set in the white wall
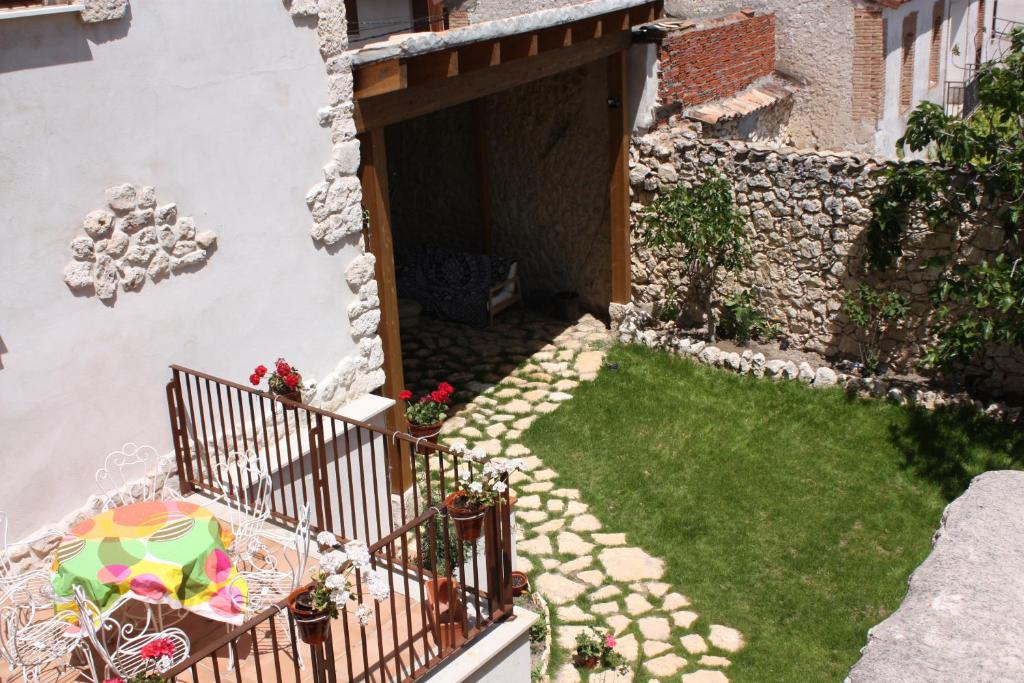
{"points": [[134, 239]]}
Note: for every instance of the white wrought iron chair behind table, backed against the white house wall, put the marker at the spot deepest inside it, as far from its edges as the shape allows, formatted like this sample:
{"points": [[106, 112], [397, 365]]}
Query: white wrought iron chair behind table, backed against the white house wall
{"points": [[134, 475]]}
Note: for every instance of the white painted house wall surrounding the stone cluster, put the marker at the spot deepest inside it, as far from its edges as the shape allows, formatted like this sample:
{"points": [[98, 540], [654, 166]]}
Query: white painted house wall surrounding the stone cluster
{"points": [[215, 104]]}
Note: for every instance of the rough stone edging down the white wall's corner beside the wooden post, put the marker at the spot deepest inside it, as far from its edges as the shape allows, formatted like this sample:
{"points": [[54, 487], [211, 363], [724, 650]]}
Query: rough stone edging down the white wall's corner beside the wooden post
{"points": [[336, 205]]}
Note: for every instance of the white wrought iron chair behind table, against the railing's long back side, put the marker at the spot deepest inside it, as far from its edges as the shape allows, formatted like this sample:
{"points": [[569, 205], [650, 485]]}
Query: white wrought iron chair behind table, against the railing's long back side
{"points": [[245, 489]]}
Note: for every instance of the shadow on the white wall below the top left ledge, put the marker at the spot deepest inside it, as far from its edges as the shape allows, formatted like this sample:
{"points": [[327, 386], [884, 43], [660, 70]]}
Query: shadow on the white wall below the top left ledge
{"points": [[36, 42]]}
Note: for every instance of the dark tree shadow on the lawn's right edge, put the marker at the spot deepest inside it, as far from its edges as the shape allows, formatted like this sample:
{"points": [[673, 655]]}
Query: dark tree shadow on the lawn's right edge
{"points": [[950, 447]]}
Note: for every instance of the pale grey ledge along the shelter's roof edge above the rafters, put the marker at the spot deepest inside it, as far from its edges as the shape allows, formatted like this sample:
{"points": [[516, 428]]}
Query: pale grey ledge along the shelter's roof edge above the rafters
{"points": [[407, 46]]}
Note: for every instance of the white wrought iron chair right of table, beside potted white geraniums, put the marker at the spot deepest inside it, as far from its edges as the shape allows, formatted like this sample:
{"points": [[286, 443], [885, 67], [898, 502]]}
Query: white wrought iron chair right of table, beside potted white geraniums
{"points": [[269, 584]]}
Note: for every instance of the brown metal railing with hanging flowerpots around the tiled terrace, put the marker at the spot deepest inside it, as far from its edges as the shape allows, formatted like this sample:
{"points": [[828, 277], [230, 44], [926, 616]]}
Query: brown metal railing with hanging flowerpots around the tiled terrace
{"points": [[445, 592]]}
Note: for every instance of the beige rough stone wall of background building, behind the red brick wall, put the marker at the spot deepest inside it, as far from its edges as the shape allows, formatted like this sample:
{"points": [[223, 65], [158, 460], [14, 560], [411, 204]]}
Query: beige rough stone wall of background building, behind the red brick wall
{"points": [[814, 45]]}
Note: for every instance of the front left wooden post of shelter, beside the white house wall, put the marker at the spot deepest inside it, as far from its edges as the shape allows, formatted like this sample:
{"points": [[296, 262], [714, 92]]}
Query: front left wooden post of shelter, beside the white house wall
{"points": [[373, 177]]}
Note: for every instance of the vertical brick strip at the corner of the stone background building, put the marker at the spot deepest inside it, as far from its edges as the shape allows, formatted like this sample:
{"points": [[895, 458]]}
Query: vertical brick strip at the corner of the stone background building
{"points": [[869, 64]]}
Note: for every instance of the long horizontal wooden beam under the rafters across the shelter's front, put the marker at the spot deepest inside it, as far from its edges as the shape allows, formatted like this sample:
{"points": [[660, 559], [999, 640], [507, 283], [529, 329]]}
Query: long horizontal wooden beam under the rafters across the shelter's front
{"points": [[392, 108]]}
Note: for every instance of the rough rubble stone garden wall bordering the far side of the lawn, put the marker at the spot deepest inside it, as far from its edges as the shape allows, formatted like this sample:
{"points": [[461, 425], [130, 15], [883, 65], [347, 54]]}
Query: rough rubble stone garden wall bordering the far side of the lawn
{"points": [[807, 214]]}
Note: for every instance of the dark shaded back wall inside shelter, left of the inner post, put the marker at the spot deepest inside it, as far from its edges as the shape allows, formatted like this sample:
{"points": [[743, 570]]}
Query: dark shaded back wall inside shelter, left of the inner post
{"points": [[435, 184]]}
